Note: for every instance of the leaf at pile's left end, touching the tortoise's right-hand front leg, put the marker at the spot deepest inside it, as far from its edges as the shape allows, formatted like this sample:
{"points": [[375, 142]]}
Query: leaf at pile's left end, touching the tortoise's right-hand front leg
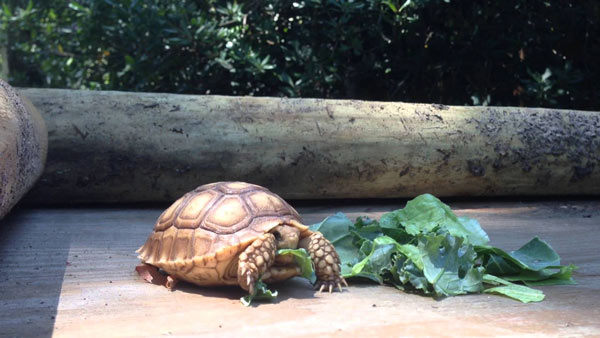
{"points": [[336, 229]]}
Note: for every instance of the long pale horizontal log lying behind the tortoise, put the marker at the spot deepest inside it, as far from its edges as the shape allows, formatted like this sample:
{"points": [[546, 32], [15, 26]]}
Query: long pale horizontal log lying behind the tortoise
{"points": [[131, 147]]}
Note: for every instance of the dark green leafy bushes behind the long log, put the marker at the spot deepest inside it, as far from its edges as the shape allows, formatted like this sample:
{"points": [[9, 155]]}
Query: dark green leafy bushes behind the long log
{"points": [[511, 52]]}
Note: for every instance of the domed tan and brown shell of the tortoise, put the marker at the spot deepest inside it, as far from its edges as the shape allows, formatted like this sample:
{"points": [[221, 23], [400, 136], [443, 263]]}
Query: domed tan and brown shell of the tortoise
{"points": [[200, 236]]}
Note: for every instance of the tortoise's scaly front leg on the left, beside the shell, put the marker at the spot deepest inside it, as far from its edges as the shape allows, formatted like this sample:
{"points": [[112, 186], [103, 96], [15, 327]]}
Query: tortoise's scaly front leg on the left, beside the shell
{"points": [[255, 260]]}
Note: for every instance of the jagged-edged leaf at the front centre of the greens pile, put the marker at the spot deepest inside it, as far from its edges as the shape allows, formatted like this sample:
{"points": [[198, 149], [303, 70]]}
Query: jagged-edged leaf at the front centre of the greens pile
{"points": [[449, 265]]}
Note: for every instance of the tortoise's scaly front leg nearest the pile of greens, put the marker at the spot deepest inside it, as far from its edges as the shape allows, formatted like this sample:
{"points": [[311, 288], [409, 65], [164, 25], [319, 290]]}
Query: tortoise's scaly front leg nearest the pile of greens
{"points": [[326, 261]]}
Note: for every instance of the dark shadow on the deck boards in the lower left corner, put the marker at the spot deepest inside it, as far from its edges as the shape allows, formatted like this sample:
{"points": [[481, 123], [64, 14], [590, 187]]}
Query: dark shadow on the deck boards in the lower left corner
{"points": [[33, 259]]}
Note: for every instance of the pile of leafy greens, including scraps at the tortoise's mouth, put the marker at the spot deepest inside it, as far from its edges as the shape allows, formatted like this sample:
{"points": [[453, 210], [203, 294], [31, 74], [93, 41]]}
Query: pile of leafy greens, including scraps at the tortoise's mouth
{"points": [[425, 247]]}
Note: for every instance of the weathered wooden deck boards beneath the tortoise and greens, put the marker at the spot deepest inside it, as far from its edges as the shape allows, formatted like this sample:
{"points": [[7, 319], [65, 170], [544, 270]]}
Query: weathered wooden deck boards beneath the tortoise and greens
{"points": [[70, 272]]}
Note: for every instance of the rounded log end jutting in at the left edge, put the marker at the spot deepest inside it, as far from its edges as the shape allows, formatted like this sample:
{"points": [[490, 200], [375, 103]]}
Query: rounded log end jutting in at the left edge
{"points": [[23, 146]]}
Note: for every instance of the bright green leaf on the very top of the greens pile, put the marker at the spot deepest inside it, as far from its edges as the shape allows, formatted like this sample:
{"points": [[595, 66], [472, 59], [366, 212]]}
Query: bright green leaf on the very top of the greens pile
{"points": [[426, 212]]}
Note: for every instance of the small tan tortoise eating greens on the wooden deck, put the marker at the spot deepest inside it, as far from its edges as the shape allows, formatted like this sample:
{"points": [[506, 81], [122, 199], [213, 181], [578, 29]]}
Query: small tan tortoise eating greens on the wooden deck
{"points": [[227, 233]]}
